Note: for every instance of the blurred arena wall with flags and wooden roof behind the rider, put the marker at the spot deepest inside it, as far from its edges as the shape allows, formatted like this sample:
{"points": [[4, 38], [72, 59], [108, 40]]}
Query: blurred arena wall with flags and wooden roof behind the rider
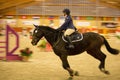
{"points": [[101, 16]]}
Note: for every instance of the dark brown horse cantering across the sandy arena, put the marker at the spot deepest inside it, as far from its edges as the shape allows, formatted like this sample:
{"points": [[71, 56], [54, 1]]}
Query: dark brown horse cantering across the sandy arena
{"points": [[91, 43]]}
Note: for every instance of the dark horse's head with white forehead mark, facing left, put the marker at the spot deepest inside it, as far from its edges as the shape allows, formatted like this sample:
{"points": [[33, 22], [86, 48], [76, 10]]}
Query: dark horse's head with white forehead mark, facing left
{"points": [[37, 35]]}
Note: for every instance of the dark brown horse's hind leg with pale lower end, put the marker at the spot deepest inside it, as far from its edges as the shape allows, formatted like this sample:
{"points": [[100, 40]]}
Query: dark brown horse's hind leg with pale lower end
{"points": [[98, 54]]}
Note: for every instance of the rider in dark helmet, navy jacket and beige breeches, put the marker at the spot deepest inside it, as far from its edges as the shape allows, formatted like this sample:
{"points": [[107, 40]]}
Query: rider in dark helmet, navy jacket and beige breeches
{"points": [[68, 27]]}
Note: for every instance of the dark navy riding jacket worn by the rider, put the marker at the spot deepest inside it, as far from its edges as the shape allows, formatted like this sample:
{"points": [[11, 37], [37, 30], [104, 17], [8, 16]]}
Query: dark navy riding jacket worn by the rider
{"points": [[67, 24]]}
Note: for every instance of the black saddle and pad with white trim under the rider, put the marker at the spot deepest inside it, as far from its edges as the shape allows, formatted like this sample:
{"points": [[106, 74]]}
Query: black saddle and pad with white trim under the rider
{"points": [[75, 37]]}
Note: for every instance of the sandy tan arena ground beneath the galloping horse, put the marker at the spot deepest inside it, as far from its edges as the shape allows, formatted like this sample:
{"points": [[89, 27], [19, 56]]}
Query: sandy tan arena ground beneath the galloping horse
{"points": [[47, 66]]}
